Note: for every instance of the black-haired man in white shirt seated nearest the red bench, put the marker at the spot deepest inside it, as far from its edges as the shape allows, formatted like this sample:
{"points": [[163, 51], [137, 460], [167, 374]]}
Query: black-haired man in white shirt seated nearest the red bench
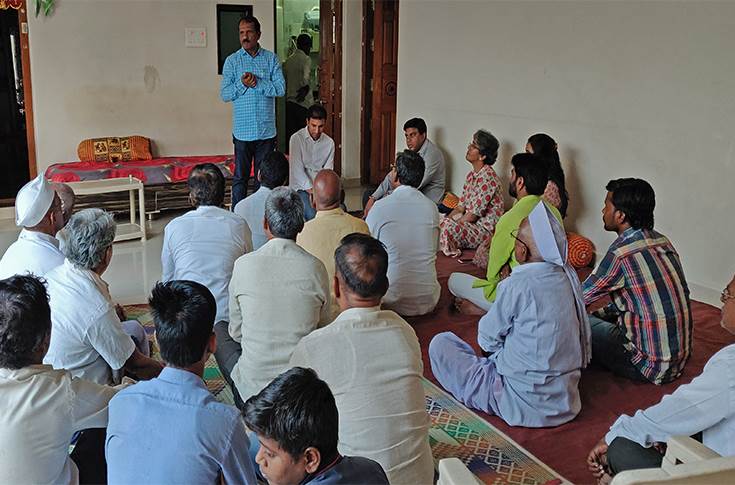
{"points": [[203, 244]]}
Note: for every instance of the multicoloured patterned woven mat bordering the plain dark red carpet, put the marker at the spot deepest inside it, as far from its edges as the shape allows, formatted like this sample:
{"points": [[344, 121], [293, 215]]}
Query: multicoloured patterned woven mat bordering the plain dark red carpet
{"points": [[455, 430]]}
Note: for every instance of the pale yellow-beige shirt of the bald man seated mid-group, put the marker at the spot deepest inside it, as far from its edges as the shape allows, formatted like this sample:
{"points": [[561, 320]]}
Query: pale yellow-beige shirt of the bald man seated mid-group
{"points": [[321, 237]]}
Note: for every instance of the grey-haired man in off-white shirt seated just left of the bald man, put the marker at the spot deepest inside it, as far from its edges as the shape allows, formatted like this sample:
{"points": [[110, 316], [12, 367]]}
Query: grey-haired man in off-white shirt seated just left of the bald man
{"points": [[278, 294]]}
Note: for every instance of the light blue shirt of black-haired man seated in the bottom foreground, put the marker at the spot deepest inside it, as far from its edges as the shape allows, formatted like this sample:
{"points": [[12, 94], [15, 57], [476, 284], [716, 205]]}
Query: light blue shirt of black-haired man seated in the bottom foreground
{"points": [[172, 430]]}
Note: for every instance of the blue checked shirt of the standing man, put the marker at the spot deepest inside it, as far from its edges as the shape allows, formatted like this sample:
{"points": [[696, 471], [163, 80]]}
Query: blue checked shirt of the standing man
{"points": [[253, 109]]}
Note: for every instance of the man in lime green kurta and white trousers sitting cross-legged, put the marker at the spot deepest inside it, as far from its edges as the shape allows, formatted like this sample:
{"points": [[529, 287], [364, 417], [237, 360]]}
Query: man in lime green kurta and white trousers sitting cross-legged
{"points": [[528, 178]]}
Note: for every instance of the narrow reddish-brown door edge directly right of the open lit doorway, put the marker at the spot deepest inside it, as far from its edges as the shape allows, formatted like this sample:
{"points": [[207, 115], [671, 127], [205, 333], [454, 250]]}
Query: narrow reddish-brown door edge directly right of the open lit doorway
{"points": [[330, 72]]}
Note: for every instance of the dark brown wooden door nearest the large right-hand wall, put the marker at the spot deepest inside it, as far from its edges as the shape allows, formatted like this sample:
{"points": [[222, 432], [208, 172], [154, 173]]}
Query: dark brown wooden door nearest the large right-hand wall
{"points": [[380, 51]]}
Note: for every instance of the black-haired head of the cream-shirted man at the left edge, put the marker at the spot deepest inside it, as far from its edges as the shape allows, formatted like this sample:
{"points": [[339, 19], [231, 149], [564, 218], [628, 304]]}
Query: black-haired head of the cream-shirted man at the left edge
{"points": [[25, 321]]}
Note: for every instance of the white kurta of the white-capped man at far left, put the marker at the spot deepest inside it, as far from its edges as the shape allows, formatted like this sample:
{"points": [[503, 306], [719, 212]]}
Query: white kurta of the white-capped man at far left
{"points": [[33, 252]]}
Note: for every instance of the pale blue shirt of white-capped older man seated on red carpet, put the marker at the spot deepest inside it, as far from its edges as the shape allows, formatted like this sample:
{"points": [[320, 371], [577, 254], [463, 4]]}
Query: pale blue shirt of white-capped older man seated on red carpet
{"points": [[532, 331]]}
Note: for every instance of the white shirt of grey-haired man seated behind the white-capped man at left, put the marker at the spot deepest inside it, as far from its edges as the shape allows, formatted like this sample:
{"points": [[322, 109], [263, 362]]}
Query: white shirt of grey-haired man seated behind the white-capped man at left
{"points": [[87, 337]]}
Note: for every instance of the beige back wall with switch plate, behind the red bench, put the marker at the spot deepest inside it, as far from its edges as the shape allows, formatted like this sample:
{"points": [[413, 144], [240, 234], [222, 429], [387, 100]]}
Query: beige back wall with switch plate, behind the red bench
{"points": [[120, 67]]}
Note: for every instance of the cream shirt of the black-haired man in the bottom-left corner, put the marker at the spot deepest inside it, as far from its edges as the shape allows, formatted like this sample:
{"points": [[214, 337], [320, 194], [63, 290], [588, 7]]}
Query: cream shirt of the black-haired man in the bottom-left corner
{"points": [[41, 410]]}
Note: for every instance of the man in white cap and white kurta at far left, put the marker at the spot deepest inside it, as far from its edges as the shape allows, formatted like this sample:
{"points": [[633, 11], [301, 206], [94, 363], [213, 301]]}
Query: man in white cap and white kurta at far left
{"points": [[38, 211]]}
